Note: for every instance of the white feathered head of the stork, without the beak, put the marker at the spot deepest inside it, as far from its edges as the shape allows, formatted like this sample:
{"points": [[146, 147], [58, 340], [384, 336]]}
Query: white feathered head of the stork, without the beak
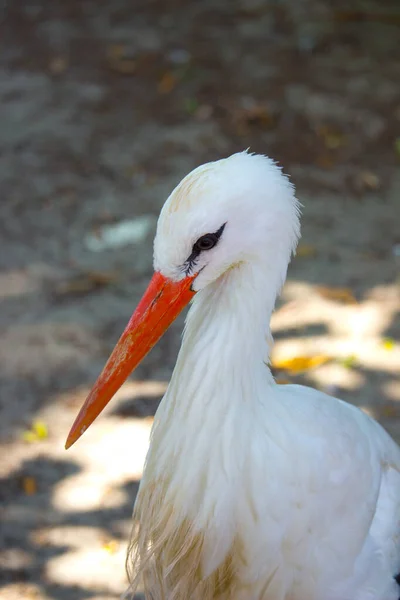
{"points": [[239, 209]]}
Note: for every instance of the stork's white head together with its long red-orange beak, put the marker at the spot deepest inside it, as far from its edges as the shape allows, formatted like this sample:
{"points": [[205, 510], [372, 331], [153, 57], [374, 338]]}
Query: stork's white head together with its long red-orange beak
{"points": [[236, 210]]}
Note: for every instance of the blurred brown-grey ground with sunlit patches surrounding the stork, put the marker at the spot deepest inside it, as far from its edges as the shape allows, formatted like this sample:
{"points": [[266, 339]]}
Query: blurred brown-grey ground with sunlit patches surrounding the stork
{"points": [[104, 107]]}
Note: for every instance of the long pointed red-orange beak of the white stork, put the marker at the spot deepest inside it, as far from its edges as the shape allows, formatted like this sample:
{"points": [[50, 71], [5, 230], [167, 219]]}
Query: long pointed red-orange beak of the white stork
{"points": [[160, 305]]}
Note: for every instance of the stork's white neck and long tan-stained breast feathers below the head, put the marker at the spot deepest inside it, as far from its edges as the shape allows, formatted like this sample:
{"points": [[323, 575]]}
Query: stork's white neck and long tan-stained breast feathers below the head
{"points": [[192, 471]]}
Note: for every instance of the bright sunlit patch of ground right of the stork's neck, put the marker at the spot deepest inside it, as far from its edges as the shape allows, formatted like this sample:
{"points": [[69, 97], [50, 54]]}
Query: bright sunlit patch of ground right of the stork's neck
{"points": [[350, 336]]}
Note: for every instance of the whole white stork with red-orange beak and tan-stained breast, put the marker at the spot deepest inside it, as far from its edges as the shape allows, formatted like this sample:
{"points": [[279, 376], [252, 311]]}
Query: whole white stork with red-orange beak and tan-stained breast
{"points": [[251, 491]]}
